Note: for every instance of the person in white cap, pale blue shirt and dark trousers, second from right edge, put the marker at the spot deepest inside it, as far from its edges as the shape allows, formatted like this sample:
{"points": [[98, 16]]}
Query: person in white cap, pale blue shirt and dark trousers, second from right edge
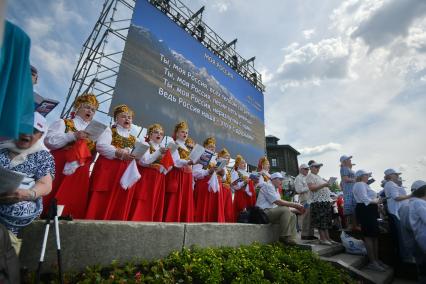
{"points": [[396, 196]]}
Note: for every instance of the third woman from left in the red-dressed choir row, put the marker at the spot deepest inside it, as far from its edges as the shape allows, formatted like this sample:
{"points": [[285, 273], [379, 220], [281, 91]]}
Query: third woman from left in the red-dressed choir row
{"points": [[148, 199]]}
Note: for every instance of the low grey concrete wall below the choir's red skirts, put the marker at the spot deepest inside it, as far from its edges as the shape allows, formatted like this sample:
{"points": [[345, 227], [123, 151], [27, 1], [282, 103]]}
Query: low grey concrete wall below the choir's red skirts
{"points": [[86, 242]]}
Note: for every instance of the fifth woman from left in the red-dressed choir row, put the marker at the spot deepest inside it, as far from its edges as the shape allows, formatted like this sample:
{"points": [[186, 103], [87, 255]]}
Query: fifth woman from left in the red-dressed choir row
{"points": [[209, 205]]}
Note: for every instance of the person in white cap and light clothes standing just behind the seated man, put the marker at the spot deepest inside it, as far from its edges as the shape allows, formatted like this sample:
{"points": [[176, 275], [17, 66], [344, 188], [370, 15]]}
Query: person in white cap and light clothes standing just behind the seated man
{"points": [[301, 187]]}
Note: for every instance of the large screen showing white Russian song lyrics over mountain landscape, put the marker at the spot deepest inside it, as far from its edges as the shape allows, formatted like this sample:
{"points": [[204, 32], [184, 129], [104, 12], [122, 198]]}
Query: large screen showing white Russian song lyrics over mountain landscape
{"points": [[167, 76]]}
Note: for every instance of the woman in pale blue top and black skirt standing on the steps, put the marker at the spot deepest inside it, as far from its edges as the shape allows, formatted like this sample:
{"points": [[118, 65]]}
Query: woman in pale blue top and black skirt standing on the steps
{"points": [[367, 212]]}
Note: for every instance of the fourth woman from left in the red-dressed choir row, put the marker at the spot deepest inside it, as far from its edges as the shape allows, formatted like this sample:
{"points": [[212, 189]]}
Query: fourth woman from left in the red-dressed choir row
{"points": [[179, 198]]}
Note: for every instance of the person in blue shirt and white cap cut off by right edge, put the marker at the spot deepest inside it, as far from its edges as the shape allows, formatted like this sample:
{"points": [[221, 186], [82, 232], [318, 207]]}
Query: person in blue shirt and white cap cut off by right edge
{"points": [[413, 224]]}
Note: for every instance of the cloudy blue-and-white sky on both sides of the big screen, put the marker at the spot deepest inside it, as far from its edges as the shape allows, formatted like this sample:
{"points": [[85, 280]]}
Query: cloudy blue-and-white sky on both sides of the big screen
{"points": [[342, 77]]}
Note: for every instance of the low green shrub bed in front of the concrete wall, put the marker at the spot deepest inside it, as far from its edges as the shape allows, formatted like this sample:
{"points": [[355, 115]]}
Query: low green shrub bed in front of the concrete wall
{"points": [[247, 264]]}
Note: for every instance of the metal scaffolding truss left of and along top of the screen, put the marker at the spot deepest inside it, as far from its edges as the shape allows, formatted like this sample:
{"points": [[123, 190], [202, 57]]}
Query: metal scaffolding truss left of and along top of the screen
{"points": [[100, 57]]}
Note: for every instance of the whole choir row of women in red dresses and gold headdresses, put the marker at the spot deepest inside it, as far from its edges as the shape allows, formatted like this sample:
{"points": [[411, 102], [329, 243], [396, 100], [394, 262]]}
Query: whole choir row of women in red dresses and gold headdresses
{"points": [[186, 193]]}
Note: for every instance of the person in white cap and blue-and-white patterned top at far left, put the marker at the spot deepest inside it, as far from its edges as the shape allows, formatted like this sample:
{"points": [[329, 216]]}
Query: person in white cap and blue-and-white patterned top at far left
{"points": [[26, 155]]}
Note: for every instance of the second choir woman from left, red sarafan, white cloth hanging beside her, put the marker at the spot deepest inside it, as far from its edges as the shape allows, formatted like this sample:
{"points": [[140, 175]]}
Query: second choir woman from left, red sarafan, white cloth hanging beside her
{"points": [[108, 200]]}
